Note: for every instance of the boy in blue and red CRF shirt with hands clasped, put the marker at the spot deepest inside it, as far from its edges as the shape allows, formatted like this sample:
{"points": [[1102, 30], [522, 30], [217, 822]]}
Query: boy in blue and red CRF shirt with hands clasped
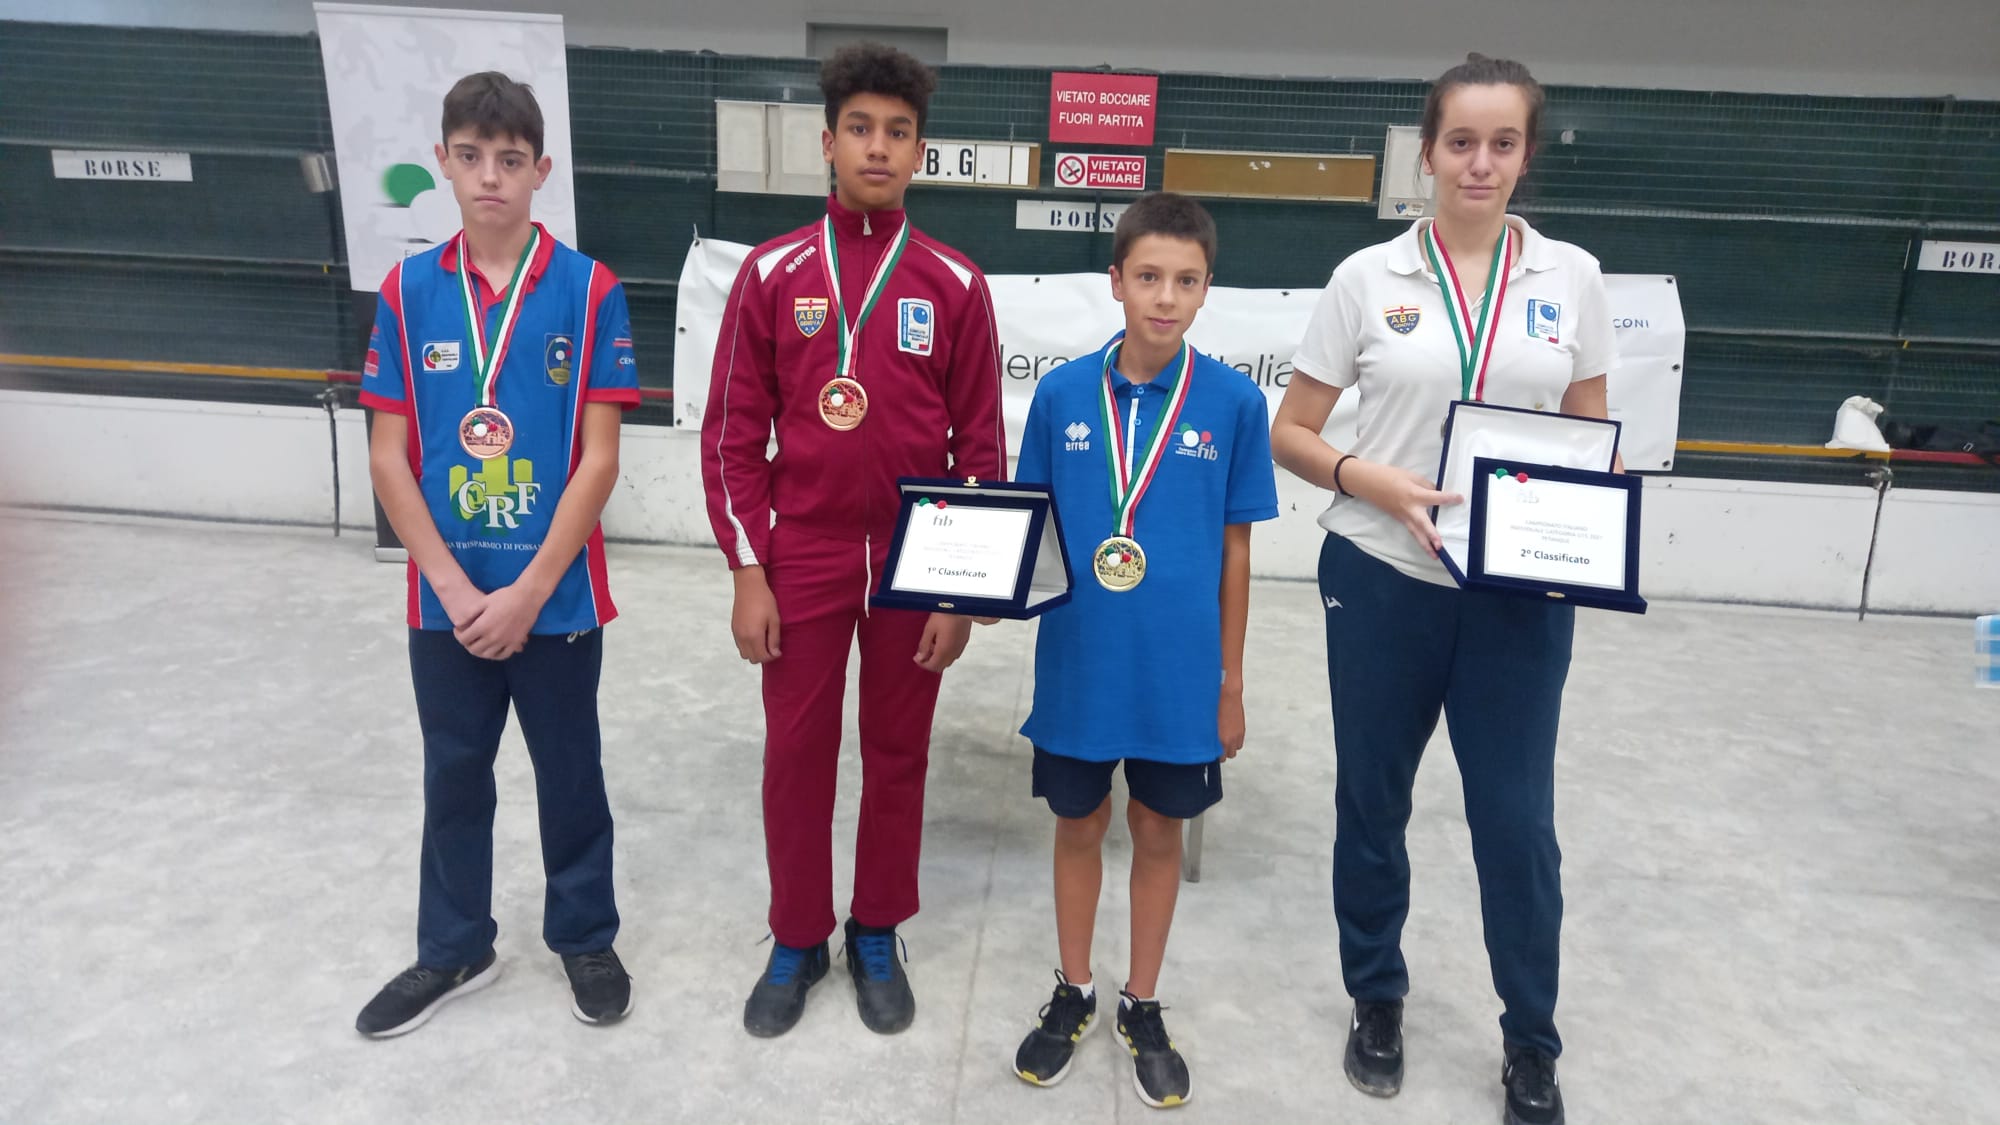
{"points": [[499, 371]]}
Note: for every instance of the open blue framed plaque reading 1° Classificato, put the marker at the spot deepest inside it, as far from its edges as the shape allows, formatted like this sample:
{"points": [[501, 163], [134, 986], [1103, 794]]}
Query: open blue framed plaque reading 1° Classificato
{"points": [[975, 549]]}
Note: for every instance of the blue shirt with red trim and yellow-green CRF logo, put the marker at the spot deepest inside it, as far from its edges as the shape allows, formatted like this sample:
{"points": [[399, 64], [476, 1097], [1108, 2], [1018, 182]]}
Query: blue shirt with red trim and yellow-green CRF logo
{"points": [[573, 345]]}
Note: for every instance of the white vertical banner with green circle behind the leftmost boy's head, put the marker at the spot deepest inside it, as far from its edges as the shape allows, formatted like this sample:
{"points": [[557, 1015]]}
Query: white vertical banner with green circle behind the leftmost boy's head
{"points": [[387, 75]]}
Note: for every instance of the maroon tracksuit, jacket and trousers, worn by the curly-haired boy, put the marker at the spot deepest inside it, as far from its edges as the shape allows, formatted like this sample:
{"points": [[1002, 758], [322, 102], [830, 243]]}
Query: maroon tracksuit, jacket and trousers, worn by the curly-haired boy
{"points": [[819, 517]]}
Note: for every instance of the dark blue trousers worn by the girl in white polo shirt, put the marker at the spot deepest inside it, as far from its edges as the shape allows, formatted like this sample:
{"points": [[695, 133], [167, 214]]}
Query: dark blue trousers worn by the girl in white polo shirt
{"points": [[1399, 652]]}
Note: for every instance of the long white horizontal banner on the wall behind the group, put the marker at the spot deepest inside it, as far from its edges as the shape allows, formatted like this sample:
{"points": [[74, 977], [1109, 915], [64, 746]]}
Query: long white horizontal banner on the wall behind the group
{"points": [[1051, 319]]}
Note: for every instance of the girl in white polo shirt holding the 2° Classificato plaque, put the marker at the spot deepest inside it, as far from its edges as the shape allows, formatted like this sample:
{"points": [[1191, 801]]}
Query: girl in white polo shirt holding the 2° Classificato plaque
{"points": [[1467, 305]]}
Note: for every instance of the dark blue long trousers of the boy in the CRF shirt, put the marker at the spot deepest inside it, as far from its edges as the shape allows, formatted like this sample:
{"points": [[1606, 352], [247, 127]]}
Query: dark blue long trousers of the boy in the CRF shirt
{"points": [[463, 704]]}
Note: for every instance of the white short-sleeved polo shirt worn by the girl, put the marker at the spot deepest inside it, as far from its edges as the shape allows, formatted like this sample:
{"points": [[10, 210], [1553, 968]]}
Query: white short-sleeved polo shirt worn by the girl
{"points": [[1381, 329]]}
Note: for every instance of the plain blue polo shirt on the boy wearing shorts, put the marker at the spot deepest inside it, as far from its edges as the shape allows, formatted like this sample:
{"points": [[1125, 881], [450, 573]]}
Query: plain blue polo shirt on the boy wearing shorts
{"points": [[1139, 674]]}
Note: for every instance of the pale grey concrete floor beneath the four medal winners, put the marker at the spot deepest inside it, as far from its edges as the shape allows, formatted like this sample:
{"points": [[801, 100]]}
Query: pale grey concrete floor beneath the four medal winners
{"points": [[1783, 874]]}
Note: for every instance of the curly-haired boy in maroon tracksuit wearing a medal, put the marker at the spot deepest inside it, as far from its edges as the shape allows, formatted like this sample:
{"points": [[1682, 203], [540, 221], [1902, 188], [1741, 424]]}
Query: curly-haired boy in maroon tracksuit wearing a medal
{"points": [[873, 353]]}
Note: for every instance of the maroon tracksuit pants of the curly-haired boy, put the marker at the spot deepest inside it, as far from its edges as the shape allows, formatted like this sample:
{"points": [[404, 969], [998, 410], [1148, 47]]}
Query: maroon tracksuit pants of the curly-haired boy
{"points": [[823, 596]]}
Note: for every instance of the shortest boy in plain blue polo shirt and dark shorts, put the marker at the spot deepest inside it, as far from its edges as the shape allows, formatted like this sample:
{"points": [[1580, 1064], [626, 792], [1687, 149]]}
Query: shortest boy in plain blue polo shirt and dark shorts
{"points": [[1159, 459]]}
